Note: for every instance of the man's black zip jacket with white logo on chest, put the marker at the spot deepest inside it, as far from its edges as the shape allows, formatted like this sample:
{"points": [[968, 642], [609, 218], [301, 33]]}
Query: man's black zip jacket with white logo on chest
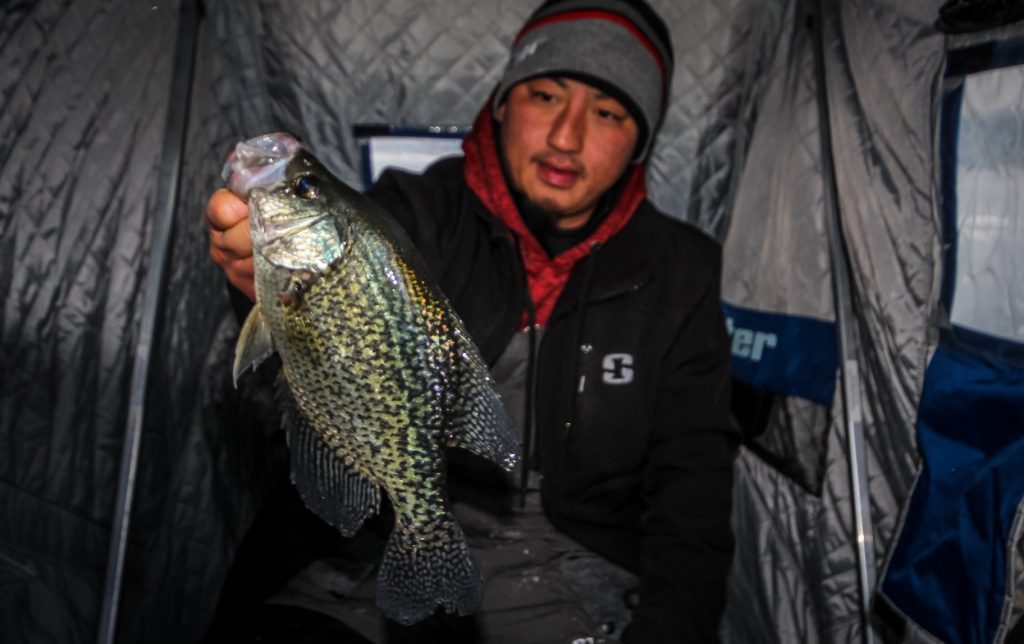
{"points": [[636, 444]]}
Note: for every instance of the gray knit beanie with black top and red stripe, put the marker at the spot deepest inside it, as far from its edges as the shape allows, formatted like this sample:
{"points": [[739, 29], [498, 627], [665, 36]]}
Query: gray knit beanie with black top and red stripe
{"points": [[620, 47]]}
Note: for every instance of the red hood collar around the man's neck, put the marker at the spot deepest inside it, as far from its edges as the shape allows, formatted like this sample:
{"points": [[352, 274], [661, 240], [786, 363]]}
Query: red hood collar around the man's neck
{"points": [[546, 277]]}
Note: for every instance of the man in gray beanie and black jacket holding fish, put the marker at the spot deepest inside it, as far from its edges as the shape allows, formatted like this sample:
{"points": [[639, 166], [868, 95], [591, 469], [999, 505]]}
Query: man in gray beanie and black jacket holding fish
{"points": [[601, 319]]}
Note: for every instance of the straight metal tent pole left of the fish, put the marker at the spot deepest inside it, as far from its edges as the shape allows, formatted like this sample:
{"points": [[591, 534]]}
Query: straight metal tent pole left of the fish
{"points": [[163, 220]]}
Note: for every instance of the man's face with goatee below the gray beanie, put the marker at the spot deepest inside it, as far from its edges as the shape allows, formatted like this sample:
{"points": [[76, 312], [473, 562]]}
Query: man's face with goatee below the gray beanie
{"points": [[566, 144]]}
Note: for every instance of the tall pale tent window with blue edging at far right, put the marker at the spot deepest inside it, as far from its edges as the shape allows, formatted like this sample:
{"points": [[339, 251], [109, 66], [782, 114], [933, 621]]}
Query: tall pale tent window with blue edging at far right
{"points": [[984, 184]]}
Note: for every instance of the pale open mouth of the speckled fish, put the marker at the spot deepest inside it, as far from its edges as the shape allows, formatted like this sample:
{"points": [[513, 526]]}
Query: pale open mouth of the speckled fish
{"points": [[260, 162]]}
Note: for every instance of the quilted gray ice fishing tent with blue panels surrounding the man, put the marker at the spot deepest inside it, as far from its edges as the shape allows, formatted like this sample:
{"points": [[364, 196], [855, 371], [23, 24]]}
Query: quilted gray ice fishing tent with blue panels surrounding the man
{"points": [[861, 161]]}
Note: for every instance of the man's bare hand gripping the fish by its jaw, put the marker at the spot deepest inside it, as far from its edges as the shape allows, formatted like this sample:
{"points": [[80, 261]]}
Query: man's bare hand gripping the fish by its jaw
{"points": [[231, 246]]}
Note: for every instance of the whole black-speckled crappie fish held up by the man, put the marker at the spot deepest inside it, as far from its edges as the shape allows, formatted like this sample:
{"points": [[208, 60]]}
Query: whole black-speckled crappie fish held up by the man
{"points": [[382, 372]]}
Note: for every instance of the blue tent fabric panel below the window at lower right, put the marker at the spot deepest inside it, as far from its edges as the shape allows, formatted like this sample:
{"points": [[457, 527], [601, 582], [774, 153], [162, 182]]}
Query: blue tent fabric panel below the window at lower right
{"points": [[949, 571]]}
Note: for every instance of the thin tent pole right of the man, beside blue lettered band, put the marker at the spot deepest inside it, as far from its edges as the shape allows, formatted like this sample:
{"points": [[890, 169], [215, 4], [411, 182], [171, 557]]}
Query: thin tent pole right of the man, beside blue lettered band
{"points": [[848, 344]]}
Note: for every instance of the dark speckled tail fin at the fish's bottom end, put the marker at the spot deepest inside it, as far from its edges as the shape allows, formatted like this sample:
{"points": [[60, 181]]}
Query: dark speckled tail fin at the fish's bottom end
{"points": [[419, 573]]}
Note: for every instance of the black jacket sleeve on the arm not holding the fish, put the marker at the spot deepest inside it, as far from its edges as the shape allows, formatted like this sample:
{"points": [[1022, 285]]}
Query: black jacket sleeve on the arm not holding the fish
{"points": [[688, 543]]}
